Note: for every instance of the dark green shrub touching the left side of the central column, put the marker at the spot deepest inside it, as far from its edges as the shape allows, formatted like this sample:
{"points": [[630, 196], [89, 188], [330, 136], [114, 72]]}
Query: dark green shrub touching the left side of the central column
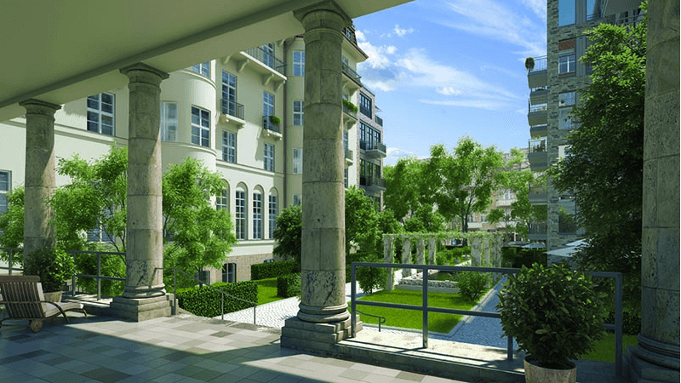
{"points": [[288, 233]]}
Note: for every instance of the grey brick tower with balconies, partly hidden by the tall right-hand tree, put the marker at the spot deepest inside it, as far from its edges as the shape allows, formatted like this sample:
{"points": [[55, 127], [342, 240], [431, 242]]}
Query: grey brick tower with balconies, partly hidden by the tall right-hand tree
{"points": [[555, 81]]}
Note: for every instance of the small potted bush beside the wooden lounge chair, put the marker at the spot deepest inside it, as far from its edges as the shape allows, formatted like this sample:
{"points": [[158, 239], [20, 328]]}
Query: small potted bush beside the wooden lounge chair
{"points": [[54, 267]]}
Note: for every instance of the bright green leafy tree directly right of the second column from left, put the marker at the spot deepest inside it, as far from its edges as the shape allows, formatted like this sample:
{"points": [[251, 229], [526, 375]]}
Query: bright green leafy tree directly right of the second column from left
{"points": [[202, 235]]}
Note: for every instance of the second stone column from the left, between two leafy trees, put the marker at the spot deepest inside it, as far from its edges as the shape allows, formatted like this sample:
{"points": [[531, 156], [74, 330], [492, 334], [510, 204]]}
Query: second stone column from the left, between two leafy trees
{"points": [[144, 297]]}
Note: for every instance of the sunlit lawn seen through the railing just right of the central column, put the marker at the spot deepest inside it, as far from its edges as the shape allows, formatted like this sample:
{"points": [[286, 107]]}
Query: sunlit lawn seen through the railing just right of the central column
{"points": [[437, 322]]}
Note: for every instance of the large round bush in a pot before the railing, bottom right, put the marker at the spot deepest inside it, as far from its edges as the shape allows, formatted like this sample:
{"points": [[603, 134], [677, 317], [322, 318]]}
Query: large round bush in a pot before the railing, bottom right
{"points": [[555, 314]]}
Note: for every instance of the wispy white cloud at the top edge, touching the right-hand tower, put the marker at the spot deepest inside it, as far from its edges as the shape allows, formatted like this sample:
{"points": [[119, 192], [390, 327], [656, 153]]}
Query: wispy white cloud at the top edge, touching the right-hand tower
{"points": [[494, 20]]}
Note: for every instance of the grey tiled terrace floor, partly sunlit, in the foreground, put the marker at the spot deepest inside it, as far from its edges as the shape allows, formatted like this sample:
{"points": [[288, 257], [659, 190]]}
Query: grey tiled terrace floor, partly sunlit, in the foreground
{"points": [[171, 349]]}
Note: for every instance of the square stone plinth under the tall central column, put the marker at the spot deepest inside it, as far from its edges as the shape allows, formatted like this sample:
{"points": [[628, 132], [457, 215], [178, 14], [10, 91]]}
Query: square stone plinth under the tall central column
{"points": [[316, 337]]}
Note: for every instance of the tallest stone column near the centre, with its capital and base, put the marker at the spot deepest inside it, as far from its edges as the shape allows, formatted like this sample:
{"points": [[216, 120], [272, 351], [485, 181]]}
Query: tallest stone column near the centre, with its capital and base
{"points": [[323, 318]]}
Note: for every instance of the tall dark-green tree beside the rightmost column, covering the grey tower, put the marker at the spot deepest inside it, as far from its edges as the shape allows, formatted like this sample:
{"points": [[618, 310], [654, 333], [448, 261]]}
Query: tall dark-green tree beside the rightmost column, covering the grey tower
{"points": [[604, 168]]}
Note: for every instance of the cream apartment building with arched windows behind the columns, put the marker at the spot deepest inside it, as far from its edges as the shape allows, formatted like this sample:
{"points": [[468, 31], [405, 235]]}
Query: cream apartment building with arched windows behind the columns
{"points": [[241, 115]]}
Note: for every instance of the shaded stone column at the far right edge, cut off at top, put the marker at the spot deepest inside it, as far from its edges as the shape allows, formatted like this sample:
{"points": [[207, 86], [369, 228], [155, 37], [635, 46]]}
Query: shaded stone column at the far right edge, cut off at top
{"points": [[656, 357]]}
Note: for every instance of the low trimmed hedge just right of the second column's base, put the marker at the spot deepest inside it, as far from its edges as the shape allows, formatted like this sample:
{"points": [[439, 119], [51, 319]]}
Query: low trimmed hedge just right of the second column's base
{"points": [[206, 302]]}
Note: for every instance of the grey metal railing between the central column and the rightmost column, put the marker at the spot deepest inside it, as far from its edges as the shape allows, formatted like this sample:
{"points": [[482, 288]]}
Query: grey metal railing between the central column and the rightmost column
{"points": [[425, 309]]}
